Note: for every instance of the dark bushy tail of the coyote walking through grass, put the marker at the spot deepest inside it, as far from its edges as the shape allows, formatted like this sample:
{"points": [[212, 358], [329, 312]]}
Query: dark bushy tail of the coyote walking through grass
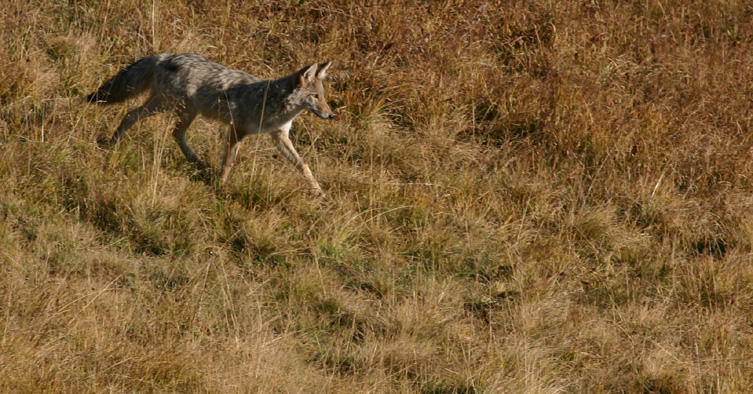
{"points": [[129, 82]]}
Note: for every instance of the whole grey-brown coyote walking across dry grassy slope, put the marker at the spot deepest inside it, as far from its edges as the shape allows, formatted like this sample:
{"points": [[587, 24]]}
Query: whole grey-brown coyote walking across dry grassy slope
{"points": [[189, 85]]}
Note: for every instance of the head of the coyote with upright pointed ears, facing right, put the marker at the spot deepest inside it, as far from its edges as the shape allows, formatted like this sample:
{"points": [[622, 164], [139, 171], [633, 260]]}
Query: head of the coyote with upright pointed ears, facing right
{"points": [[309, 92]]}
